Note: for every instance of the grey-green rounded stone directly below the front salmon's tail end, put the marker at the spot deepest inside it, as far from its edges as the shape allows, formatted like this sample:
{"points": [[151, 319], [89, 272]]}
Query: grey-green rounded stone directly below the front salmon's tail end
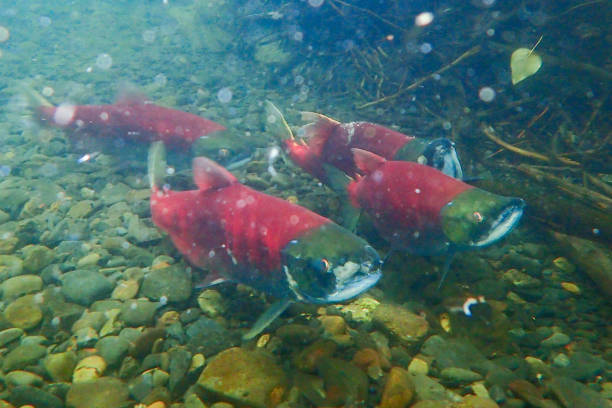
{"points": [[172, 283]]}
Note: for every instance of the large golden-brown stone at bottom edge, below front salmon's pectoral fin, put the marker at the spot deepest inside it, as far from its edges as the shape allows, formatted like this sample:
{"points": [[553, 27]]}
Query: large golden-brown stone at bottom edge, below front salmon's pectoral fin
{"points": [[252, 385]]}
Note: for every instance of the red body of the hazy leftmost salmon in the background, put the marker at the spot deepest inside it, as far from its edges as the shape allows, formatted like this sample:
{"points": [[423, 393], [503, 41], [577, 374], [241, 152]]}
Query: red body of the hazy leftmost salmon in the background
{"points": [[131, 119]]}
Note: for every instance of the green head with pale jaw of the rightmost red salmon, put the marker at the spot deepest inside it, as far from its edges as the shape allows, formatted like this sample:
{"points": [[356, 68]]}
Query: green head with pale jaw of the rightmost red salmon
{"points": [[476, 218]]}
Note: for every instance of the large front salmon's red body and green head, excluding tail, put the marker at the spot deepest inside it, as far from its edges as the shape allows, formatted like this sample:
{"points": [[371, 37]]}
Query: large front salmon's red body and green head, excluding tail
{"points": [[242, 235]]}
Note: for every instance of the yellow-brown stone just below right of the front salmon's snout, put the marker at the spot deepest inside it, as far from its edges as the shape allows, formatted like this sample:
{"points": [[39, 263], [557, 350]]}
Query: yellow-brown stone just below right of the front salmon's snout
{"points": [[400, 323]]}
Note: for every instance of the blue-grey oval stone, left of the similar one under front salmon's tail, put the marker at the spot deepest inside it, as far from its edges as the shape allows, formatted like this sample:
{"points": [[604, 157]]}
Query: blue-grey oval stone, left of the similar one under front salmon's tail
{"points": [[84, 287]]}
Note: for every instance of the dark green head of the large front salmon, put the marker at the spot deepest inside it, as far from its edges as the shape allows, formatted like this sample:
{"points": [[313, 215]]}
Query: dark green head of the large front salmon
{"points": [[329, 264]]}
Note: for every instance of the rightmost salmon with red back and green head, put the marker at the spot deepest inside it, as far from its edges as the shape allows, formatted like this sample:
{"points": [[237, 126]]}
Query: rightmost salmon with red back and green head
{"points": [[422, 210]]}
